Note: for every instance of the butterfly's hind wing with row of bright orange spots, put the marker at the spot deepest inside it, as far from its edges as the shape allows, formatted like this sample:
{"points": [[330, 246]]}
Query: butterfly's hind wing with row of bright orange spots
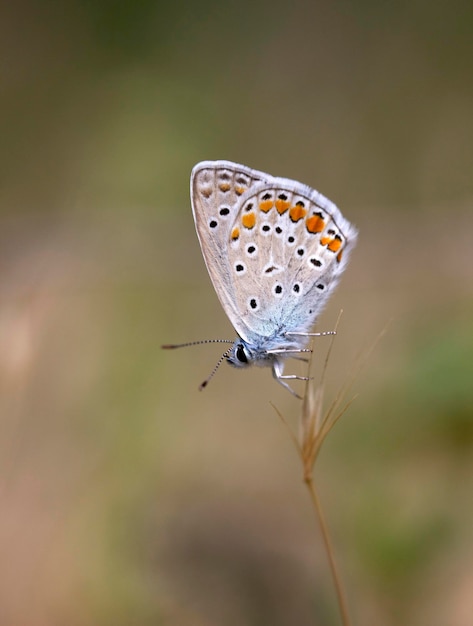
{"points": [[287, 252]]}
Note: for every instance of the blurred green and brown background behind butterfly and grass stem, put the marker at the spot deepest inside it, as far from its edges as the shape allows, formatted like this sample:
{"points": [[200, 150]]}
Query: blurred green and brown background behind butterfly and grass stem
{"points": [[126, 495]]}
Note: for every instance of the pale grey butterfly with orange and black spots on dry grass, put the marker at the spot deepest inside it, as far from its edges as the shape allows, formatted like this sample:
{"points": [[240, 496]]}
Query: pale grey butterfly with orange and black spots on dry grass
{"points": [[275, 250]]}
